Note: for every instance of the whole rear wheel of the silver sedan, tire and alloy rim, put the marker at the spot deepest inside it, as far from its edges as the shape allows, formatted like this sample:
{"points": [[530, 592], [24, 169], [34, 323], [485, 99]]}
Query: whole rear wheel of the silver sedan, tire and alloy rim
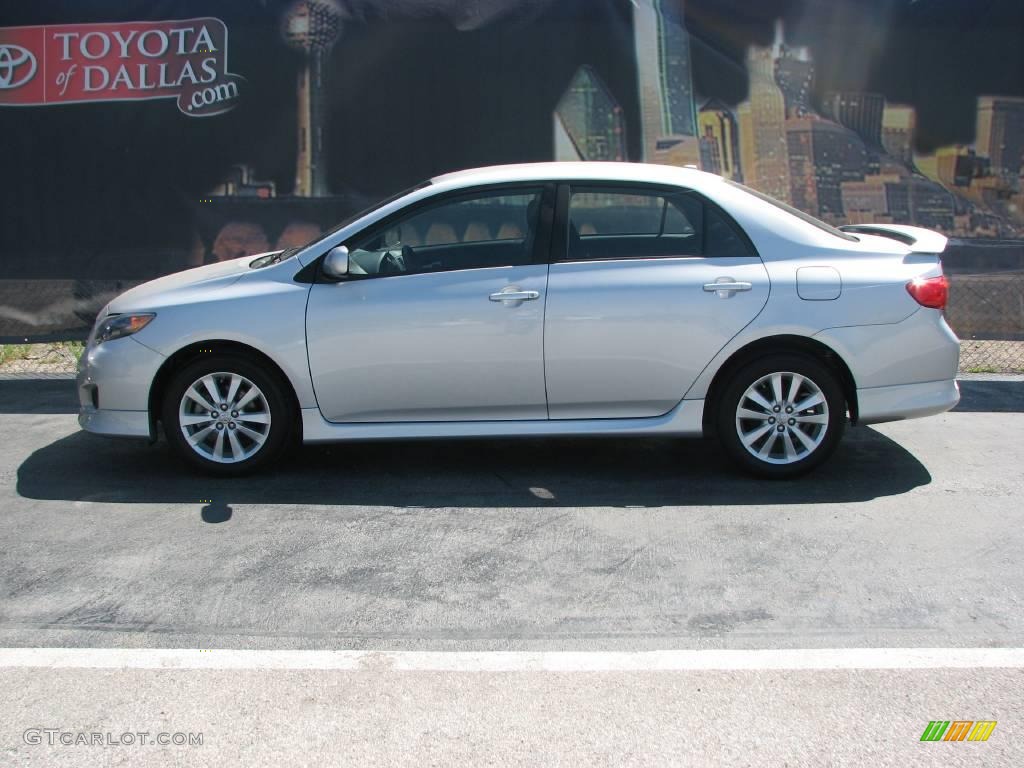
{"points": [[783, 416]]}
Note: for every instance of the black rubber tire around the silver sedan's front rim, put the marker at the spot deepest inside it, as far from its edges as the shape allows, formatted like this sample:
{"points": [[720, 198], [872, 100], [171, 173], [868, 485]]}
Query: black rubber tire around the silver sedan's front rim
{"points": [[277, 436]]}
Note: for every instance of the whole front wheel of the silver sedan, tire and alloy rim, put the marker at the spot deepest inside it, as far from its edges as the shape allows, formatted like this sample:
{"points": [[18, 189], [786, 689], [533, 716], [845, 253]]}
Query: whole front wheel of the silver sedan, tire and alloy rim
{"points": [[227, 416]]}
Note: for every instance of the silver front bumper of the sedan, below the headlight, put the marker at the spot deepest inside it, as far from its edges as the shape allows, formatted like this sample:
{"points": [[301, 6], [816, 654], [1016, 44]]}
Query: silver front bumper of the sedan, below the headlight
{"points": [[114, 381]]}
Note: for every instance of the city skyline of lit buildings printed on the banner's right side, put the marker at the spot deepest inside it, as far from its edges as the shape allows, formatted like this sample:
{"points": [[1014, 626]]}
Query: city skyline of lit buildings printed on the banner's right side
{"points": [[850, 160]]}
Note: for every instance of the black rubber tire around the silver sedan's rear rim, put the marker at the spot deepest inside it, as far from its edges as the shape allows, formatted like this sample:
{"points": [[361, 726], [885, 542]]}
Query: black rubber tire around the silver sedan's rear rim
{"points": [[730, 423]]}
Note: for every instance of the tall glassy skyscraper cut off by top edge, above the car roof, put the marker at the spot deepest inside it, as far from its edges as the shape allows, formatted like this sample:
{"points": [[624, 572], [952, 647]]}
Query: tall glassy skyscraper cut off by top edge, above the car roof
{"points": [[665, 81]]}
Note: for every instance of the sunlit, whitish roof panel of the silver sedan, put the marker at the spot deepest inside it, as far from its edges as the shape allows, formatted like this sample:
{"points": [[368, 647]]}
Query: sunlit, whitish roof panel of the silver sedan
{"points": [[590, 170]]}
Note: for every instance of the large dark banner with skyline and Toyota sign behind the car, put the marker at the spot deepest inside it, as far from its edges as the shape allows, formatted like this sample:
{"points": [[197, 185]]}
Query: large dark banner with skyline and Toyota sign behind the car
{"points": [[145, 138]]}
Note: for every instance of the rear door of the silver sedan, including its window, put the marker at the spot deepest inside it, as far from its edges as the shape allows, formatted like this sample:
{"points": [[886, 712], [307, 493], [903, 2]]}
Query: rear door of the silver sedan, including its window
{"points": [[647, 286]]}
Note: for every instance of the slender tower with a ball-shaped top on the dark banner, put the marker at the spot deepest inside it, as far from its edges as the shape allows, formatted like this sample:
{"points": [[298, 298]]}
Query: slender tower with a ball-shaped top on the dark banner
{"points": [[312, 27]]}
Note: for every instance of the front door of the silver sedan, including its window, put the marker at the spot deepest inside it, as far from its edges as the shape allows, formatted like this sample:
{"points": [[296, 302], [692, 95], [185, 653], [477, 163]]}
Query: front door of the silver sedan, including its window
{"points": [[443, 317]]}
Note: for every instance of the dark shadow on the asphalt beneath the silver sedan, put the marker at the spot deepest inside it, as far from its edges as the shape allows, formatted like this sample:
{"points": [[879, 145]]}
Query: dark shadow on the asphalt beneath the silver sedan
{"points": [[557, 473]]}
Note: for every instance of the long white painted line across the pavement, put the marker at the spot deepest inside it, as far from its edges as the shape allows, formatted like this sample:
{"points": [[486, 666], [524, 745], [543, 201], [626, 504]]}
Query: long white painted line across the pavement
{"points": [[669, 661]]}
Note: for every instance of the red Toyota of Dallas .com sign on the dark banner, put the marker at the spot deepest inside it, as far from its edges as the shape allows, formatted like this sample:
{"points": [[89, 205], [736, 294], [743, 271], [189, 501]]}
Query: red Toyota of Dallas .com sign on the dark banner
{"points": [[131, 61]]}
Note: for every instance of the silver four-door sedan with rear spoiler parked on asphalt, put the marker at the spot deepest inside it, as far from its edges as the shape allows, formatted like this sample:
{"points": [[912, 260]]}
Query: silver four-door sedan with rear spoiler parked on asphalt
{"points": [[549, 300]]}
